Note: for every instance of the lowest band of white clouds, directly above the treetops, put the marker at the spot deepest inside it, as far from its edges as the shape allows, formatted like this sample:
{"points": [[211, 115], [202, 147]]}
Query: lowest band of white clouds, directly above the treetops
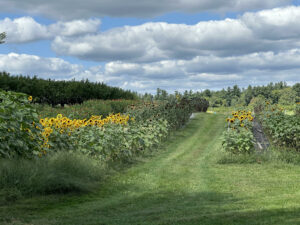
{"points": [[195, 74]]}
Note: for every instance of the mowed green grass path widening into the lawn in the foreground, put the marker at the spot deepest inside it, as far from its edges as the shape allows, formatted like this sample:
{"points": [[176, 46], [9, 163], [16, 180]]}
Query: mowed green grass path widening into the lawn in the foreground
{"points": [[182, 184]]}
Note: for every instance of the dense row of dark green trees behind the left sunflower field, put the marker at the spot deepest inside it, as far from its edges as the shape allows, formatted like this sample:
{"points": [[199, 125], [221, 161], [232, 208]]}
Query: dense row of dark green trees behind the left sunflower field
{"points": [[61, 92]]}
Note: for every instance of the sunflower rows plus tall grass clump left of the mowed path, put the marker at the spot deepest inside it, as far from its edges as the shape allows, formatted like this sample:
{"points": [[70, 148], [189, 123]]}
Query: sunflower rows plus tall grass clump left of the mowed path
{"points": [[28, 138]]}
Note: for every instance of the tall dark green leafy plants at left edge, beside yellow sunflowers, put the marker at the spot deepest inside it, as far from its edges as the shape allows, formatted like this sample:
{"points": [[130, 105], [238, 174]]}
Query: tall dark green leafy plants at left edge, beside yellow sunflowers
{"points": [[18, 136]]}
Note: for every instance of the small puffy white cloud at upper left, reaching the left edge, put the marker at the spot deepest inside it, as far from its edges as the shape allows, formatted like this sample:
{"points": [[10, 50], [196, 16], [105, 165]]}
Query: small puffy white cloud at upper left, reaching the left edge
{"points": [[26, 29]]}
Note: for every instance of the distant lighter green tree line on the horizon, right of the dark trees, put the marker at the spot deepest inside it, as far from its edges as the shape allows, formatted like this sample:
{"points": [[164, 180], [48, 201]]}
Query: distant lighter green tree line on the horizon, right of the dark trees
{"points": [[276, 93]]}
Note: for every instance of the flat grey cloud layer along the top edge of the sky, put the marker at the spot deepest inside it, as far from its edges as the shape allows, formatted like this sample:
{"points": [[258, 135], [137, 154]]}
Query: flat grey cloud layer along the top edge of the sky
{"points": [[65, 9]]}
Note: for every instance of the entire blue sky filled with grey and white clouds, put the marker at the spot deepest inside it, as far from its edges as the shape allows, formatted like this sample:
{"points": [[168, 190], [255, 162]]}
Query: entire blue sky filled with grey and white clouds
{"points": [[142, 45]]}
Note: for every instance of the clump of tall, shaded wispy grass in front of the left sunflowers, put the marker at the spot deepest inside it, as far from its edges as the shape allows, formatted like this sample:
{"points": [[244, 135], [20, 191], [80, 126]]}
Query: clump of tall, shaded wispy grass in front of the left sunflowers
{"points": [[56, 173]]}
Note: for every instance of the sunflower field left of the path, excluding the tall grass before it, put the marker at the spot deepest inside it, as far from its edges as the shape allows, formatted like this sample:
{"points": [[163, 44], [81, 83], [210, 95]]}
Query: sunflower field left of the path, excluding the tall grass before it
{"points": [[117, 136]]}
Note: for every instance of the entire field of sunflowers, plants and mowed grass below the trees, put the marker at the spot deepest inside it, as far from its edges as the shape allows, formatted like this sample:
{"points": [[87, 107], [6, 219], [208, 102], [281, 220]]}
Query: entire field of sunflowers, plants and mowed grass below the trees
{"points": [[146, 162]]}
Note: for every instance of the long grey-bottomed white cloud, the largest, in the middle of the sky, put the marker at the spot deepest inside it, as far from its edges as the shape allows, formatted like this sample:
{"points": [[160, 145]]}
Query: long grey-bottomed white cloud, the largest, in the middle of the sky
{"points": [[156, 41]]}
